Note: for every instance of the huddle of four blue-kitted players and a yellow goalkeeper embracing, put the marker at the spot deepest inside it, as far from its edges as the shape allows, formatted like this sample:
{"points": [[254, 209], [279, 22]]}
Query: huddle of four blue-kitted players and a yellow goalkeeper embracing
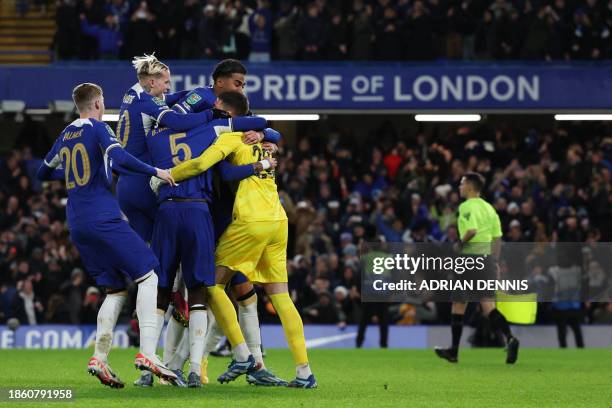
{"points": [[197, 186]]}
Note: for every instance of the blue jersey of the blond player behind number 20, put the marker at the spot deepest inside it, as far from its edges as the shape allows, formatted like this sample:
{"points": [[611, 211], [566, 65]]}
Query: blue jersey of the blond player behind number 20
{"points": [[138, 114]]}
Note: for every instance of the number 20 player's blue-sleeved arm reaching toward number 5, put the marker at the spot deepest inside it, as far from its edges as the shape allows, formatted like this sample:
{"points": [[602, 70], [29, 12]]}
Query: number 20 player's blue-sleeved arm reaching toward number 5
{"points": [[122, 159]]}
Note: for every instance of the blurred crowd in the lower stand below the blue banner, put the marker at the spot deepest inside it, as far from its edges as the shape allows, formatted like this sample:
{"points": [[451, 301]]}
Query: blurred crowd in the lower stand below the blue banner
{"points": [[550, 184]]}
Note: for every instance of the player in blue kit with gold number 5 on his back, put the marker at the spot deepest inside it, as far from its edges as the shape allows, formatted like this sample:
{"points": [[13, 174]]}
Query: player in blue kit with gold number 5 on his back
{"points": [[183, 230]]}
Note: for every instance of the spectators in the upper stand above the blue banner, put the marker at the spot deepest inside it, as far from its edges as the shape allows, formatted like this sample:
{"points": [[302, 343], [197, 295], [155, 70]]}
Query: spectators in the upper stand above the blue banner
{"points": [[335, 29]]}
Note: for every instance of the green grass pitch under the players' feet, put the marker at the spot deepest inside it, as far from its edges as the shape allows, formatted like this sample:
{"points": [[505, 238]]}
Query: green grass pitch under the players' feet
{"points": [[347, 378]]}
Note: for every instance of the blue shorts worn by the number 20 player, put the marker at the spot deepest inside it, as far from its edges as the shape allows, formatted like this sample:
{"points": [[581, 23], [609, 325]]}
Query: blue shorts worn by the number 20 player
{"points": [[112, 251]]}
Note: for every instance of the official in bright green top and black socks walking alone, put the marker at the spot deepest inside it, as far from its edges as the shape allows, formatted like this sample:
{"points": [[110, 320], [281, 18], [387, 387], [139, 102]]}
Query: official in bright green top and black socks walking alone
{"points": [[480, 233]]}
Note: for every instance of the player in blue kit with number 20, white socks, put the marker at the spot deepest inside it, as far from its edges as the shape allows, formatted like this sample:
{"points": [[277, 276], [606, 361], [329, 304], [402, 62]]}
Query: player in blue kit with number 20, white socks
{"points": [[110, 249]]}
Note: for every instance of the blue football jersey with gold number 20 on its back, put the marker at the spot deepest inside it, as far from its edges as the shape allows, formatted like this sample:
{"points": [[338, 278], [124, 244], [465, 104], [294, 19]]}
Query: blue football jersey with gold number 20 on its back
{"points": [[81, 150]]}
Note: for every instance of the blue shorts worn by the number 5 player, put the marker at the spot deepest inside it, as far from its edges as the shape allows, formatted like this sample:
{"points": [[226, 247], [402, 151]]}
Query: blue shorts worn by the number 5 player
{"points": [[183, 234]]}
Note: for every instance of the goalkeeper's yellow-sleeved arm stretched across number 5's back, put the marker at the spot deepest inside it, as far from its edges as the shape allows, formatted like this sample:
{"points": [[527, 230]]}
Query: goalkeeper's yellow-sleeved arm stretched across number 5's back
{"points": [[226, 143]]}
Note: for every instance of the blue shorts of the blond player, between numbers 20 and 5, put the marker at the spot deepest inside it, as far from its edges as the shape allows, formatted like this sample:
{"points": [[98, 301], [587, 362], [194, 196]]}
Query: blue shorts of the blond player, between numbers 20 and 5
{"points": [[139, 204]]}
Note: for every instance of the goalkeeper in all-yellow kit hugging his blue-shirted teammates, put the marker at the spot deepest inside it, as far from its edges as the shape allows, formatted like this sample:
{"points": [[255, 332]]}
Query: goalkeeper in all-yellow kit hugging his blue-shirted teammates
{"points": [[255, 244]]}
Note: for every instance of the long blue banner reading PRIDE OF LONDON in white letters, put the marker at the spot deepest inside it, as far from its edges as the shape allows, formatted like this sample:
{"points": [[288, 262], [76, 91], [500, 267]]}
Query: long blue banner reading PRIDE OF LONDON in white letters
{"points": [[345, 86]]}
